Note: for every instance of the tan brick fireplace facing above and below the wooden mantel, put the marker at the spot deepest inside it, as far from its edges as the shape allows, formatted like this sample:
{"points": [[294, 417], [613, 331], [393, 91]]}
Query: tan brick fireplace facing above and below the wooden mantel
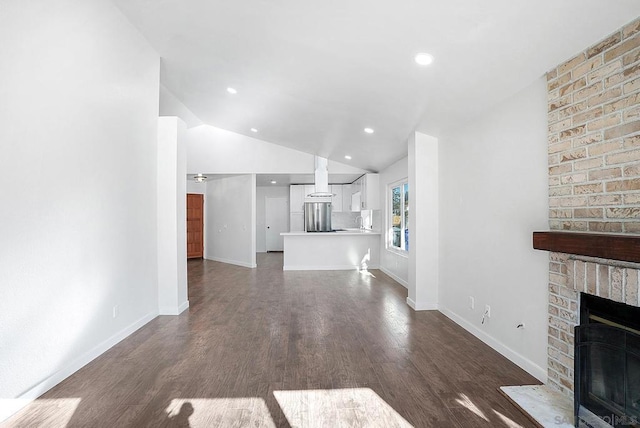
{"points": [[594, 181]]}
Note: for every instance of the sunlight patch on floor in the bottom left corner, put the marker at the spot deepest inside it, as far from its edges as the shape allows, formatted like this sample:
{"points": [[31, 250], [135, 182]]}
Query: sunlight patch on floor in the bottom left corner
{"points": [[42, 412]]}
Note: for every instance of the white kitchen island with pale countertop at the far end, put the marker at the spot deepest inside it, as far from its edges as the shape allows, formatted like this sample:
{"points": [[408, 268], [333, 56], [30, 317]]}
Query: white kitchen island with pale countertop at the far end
{"points": [[341, 250]]}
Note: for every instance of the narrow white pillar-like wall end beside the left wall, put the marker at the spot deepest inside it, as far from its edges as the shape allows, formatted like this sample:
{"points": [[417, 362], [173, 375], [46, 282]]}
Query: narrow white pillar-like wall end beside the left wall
{"points": [[172, 219]]}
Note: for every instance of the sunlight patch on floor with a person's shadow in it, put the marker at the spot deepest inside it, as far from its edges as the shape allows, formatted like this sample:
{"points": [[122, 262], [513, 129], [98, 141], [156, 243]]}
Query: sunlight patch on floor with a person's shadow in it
{"points": [[207, 412]]}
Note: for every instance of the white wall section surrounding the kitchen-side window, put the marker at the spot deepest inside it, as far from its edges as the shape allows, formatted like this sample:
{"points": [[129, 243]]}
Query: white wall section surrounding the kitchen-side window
{"points": [[392, 263]]}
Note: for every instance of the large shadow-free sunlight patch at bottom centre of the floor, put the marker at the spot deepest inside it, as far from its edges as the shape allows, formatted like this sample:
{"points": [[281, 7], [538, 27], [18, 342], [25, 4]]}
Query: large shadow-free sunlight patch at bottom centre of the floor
{"points": [[353, 407]]}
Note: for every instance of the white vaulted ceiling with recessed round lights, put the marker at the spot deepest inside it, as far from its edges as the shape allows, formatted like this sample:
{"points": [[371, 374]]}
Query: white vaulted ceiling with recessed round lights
{"points": [[312, 75]]}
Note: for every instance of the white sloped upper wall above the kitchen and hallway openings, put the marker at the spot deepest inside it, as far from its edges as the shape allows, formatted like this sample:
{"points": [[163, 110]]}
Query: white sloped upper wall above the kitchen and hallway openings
{"points": [[214, 150]]}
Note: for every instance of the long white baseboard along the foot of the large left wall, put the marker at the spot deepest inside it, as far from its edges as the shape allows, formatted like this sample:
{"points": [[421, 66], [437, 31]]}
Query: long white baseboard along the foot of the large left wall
{"points": [[9, 407]]}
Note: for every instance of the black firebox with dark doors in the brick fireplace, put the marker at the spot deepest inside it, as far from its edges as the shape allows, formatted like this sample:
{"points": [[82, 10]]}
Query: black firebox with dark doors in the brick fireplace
{"points": [[607, 364]]}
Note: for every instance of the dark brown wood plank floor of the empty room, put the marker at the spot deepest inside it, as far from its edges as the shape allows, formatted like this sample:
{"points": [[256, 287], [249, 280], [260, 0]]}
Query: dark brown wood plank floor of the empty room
{"points": [[263, 347]]}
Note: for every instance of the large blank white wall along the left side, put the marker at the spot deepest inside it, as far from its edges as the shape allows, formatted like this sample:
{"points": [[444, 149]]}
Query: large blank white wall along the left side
{"points": [[78, 126]]}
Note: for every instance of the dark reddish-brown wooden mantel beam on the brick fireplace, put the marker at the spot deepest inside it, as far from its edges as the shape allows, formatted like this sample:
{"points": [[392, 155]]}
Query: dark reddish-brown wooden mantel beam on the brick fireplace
{"points": [[602, 245]]}
